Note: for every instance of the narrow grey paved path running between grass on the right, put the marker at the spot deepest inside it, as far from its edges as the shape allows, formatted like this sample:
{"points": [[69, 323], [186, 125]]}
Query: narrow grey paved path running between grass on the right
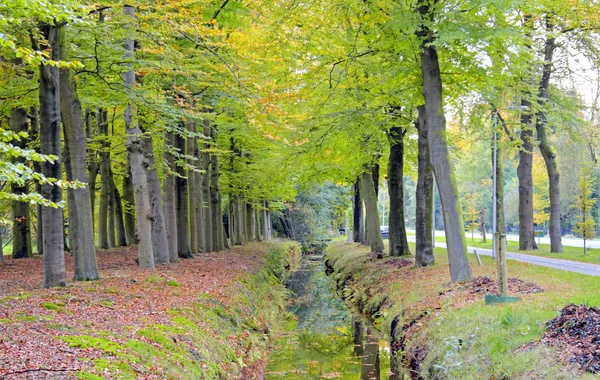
{"points": [[566, 265]]}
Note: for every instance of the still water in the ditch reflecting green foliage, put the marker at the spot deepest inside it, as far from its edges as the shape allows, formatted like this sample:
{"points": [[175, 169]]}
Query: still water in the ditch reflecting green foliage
{"points": [[325, 341]]}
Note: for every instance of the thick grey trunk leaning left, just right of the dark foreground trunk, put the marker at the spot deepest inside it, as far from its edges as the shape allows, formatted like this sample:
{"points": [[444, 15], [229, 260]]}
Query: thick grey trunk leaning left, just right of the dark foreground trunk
{"points": [[81, 226]]}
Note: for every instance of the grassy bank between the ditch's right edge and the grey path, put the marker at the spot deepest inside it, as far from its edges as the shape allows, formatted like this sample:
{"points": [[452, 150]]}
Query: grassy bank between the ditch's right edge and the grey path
{"points": [[447, 329]]}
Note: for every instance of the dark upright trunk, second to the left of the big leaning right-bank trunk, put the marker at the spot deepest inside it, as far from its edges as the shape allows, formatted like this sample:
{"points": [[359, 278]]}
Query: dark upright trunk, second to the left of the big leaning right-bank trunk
{"points": [[397, 229]]}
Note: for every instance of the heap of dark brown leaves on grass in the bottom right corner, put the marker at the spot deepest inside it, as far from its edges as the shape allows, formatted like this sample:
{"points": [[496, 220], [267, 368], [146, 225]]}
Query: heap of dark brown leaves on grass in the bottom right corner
{"points": [[575, 332]]}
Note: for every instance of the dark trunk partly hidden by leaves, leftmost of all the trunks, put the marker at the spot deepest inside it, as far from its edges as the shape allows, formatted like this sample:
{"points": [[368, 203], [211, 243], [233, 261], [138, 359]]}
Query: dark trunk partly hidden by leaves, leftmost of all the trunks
{"points": [[20, 210]]}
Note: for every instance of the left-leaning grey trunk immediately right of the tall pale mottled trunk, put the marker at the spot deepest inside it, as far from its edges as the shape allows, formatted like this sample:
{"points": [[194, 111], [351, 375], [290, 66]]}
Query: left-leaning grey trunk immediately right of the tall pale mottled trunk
{"points": [[160, 245]]}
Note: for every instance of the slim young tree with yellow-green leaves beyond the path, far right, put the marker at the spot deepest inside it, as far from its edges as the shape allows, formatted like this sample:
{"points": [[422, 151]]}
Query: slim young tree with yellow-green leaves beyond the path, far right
{"points": [[585, 225]]}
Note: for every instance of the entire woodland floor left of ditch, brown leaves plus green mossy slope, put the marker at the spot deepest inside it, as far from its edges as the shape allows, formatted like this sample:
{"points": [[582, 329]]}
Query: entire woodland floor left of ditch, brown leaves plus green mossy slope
{"points": [[195, 317]]}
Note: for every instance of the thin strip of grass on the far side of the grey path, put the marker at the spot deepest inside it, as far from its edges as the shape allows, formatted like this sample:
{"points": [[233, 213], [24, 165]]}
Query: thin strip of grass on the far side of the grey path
{"points": [[569, 253]]}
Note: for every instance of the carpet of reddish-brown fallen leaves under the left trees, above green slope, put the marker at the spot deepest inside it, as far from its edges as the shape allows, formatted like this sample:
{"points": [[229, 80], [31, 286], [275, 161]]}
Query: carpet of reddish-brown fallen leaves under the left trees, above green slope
{"points": [[124, 301]]}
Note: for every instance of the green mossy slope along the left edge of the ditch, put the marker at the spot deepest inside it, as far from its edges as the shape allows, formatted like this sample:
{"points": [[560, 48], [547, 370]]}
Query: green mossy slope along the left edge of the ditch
{"points": [[205, 340]]}
